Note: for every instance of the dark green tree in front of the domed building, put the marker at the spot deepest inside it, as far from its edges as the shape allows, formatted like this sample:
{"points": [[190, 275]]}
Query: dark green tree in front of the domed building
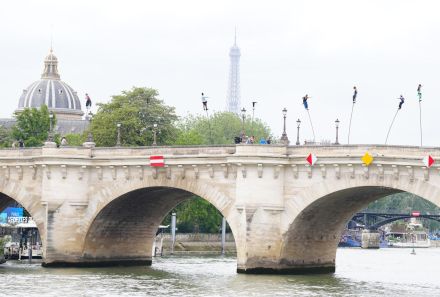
{"points": [[32, 126]]}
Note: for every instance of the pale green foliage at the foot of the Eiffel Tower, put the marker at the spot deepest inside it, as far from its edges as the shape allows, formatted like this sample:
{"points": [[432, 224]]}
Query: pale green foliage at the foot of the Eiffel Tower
{"points": [[220, 128]]}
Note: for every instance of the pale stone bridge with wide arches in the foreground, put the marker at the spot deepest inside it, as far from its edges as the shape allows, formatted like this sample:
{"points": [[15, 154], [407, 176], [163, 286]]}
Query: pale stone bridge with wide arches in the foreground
{"points": [[102, 206]]}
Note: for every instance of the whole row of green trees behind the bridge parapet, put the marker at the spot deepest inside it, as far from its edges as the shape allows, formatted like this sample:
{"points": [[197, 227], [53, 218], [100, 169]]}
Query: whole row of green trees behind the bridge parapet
{"points": [[137, 111]]}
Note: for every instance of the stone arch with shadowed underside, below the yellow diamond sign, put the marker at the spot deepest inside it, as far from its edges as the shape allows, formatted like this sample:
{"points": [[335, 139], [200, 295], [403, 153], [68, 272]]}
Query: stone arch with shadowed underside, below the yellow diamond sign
{"points": [[314, 226]]}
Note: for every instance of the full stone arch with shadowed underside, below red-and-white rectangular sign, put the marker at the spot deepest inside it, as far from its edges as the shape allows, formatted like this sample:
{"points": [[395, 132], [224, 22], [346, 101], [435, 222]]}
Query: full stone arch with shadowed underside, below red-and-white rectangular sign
{"points": [[124, 217]]}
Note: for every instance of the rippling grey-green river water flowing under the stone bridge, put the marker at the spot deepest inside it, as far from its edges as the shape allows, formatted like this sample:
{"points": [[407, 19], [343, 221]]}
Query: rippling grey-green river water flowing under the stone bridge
{"points": [[384, 272]]}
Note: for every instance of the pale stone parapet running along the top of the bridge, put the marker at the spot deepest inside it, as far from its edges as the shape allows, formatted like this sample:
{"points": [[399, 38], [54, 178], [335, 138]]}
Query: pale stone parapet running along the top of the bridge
{"points": [[280, 151]]}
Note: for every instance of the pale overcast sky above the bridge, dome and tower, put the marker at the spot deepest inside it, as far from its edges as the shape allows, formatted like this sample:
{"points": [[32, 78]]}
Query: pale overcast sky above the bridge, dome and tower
{"points": [[289, 48]]}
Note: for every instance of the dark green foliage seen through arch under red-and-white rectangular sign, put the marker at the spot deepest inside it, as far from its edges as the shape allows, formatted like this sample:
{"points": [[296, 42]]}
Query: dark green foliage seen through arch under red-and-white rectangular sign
{"points": [[196, 215]]}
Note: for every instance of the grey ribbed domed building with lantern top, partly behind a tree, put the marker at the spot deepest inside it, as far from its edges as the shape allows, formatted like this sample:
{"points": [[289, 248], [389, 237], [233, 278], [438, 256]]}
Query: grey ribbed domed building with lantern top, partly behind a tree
{"points": [[58, 96]]}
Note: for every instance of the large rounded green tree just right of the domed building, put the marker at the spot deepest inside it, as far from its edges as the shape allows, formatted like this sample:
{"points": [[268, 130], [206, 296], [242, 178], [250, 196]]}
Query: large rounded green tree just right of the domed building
{"points": [[136, 110]]}
